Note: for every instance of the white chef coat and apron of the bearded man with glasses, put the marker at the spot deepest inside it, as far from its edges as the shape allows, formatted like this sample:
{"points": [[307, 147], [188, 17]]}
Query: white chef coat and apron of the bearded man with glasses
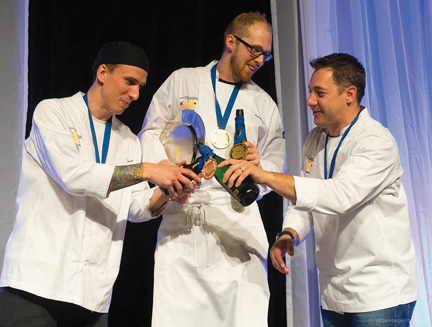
{"points": [[210, 267]]}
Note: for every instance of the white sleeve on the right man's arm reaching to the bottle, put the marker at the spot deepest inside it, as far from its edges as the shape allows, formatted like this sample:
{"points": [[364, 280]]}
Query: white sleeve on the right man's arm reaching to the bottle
{"points": [[370, 167]]}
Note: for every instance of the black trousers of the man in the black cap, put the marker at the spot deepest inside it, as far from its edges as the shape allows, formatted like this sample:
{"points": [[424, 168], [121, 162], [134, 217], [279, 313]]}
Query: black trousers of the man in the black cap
{"points": [[22, 309]]}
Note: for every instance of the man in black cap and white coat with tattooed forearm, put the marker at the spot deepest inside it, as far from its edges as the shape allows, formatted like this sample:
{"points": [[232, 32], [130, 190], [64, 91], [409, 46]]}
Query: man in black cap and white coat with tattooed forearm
{"points": [[82, 178]]}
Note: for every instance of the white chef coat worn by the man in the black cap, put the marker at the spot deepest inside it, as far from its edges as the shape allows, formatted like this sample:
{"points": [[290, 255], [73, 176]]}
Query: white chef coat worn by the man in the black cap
{"points": [[67, 239]]}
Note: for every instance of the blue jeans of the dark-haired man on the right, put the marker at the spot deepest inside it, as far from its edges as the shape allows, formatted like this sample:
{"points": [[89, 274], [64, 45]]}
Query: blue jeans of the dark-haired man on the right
{"points": [[398, 316]]}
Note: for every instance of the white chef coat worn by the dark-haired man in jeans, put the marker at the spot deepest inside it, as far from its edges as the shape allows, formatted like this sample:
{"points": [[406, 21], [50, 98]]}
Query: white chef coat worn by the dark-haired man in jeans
{"points": [[360, 217]]}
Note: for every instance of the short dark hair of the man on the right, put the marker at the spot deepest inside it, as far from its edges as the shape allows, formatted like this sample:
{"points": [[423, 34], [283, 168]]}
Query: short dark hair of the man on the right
{"points": [[347, 71]]}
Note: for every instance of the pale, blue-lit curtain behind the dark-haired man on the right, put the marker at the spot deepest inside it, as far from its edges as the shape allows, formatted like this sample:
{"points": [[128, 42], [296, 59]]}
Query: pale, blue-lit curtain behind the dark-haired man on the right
{"points": [[392, 38]]}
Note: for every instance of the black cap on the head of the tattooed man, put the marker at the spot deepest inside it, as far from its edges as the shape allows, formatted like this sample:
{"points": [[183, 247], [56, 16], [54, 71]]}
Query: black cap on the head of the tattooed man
{"points": [[122, 53]]}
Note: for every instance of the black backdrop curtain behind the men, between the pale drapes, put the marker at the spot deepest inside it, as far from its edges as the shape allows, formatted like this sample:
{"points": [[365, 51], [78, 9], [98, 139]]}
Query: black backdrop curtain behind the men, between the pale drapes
{"points": [[64, 37]]}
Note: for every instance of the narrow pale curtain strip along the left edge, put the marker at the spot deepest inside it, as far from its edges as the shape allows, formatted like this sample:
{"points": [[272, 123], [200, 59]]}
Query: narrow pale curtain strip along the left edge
{"points": [[13, 107]]}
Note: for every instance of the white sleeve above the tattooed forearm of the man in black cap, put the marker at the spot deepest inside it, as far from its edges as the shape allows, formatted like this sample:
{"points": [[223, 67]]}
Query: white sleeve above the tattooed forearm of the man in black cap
{"points": [[51, 145]]}
